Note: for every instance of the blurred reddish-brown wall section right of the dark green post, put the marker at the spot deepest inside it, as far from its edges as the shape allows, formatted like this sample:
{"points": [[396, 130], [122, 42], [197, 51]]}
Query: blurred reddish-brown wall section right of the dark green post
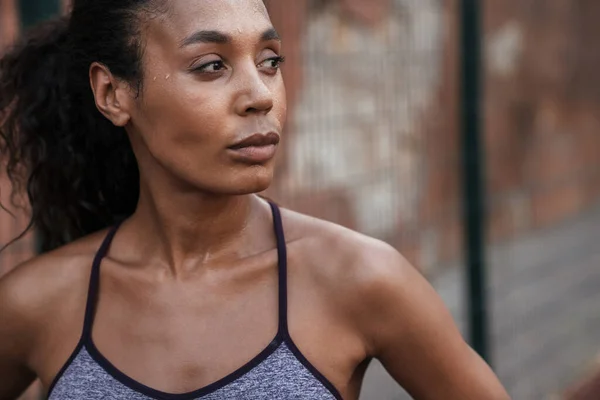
{"points": [[542, 124]]}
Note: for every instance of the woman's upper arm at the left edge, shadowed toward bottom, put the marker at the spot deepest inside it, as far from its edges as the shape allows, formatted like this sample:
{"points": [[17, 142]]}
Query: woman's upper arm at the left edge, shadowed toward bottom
{"points": [[16, 336]]}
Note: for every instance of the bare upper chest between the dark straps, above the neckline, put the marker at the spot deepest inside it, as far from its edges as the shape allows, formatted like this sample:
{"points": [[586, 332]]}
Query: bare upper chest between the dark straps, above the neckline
{"points": [[180, 337]]}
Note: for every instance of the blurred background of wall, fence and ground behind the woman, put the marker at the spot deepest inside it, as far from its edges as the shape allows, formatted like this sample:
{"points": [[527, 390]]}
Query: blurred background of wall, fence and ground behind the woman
{"points": [[375, 142]]}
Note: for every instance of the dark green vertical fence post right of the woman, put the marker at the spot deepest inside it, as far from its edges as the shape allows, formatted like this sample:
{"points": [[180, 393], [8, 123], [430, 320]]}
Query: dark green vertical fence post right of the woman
{"points": [[473, 171]]}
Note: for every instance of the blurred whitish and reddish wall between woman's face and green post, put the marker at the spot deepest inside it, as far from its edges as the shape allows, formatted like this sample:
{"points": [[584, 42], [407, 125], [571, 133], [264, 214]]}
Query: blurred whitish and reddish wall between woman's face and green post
{"points": [[364, 147]]}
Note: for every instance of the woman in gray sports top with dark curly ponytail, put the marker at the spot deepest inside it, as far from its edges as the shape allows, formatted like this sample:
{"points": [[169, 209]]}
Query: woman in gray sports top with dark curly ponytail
{"points": [[193, 292]]}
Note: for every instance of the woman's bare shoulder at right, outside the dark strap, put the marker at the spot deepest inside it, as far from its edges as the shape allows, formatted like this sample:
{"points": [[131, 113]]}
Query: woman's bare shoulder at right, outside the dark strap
{"points": [[372, 285]]}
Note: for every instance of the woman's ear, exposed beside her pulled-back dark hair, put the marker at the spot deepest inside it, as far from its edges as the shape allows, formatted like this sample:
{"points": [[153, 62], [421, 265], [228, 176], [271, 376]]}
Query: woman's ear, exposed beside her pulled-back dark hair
{"points": [[112, 96]]}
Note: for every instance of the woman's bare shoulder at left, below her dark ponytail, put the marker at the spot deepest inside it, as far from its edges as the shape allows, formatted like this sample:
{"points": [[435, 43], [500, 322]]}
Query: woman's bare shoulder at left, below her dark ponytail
{"points": [[42, 290]]}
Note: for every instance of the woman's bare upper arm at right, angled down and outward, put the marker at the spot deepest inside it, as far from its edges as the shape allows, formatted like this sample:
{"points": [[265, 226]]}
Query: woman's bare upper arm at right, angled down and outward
{"points": [[408, 328]]}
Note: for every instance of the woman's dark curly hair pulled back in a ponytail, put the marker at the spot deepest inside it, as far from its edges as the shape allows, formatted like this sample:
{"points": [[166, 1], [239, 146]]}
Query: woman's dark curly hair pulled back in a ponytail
{"points": [[78, 169]]}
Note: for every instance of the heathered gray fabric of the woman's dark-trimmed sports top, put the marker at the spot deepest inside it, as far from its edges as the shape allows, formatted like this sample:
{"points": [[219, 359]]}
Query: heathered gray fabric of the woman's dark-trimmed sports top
{"points": [[280, 376]]}
